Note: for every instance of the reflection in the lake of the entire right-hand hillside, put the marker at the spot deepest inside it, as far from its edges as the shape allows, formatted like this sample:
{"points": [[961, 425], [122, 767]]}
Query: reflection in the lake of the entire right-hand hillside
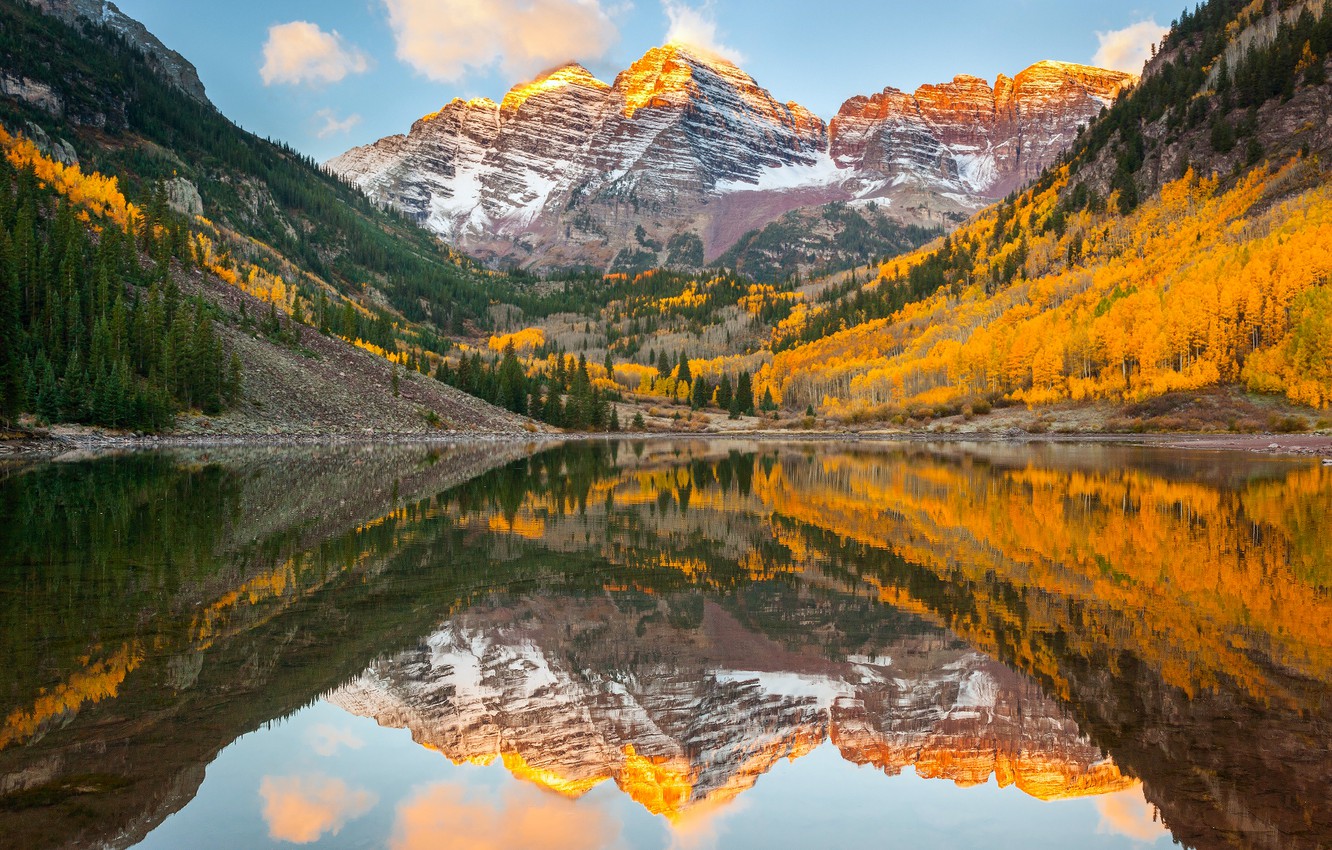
{"points": [[1183, 619]]}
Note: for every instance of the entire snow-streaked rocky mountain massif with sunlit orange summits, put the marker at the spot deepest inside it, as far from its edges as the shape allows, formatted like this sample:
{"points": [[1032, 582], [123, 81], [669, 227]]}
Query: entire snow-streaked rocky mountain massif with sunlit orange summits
{"points": [[685, 154]]}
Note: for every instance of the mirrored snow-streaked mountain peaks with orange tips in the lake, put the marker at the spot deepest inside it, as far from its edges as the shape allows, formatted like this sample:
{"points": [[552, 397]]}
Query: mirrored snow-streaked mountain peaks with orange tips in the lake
{"points": [[571, 695]]}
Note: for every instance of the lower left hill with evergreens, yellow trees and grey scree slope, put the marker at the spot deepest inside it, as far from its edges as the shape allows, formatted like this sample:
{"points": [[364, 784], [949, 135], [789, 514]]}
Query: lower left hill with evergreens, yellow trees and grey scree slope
{"points": [[111, 315]]}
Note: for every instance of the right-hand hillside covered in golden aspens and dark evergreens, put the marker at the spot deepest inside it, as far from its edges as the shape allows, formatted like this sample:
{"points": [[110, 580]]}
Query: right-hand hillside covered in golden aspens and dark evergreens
{"points": [[1181, 246]]}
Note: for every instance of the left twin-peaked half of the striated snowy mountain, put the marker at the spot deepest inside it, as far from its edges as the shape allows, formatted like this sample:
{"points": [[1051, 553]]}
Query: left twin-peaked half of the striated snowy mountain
{"points": [[567, 170]]}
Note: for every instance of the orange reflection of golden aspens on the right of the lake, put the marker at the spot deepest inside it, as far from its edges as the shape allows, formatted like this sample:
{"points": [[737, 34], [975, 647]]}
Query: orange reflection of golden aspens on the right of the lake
{"points": [[1207, 583]]}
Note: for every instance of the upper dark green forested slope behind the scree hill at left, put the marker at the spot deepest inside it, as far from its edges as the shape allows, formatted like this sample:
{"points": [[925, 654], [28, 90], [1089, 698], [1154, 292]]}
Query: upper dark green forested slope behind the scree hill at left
{"points": [[93, 95]]}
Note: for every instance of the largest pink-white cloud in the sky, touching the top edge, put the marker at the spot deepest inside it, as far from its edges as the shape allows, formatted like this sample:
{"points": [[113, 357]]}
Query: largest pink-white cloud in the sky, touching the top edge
{"points": [[448, 39]]}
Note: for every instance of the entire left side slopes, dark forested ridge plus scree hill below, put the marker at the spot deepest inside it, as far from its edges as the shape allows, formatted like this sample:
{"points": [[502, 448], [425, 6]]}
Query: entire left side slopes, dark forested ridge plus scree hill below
{"points": [[294, 307]]}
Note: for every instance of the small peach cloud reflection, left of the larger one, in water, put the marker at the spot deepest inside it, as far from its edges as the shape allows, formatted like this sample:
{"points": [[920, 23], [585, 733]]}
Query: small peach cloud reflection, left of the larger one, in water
{"points": [[303, 809]]}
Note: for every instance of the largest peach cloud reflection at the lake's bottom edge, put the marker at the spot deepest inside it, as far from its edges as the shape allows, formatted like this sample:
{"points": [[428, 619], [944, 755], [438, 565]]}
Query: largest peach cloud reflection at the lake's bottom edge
{"points": [[447, 817]]}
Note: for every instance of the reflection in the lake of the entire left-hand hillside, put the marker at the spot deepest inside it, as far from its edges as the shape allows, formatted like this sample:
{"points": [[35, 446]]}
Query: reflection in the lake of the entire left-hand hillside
{"points": [[163, 606]]}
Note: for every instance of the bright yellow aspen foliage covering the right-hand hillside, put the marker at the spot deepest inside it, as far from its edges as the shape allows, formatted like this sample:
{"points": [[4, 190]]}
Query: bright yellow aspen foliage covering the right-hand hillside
{"points": [[1195, 288]]}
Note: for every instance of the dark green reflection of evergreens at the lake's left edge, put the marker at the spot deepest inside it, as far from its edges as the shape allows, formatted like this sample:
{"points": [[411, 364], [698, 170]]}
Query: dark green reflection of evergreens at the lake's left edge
{"points": [[91, 548]]}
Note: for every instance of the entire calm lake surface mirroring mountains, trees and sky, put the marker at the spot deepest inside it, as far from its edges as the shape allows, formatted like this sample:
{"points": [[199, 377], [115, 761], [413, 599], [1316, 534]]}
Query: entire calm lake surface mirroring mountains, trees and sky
{"points": [[667, 645]]}
